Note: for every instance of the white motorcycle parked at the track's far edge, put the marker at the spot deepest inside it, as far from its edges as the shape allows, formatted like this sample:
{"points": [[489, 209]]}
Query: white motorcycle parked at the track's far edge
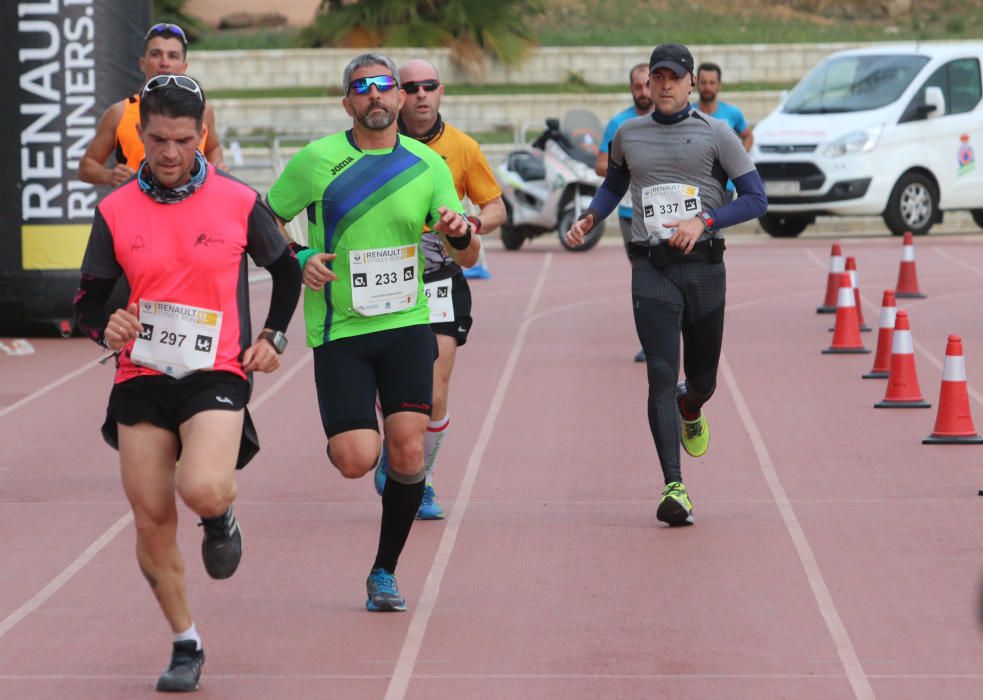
{"points": [[547, 185]]}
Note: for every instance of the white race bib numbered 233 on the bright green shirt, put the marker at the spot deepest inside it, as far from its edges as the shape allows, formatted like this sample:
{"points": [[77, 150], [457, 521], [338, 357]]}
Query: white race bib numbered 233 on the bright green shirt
{"points": [[383, 279]]}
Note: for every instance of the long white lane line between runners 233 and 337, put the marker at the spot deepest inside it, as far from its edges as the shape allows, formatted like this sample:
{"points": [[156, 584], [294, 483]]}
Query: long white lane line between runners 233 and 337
{"points": [[410, 651]]}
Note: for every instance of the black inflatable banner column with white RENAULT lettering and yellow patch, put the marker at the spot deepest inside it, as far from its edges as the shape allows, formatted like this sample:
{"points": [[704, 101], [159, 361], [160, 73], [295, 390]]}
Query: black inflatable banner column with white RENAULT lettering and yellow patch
{"points": [[67, 61]]}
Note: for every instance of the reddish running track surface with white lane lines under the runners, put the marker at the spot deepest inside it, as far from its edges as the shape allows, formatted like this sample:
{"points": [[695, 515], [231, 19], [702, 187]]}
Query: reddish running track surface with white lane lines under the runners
{"points": [[834, 556]]}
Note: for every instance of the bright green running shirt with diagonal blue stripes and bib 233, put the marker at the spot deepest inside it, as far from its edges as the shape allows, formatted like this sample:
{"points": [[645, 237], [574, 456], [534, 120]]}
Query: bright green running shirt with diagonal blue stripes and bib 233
{"points": [[369, 209]]}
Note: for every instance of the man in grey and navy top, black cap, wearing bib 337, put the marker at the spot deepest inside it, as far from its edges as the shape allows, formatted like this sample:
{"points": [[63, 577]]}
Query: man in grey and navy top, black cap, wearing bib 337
{"points": [[676, 163]]}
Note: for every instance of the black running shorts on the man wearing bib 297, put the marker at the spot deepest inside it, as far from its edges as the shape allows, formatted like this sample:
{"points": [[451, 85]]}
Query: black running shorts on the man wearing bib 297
{"points": [[167, 403]]}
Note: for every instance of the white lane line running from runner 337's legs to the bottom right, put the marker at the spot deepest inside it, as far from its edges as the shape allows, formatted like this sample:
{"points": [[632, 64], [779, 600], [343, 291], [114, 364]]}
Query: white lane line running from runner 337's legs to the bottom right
{"points": [[841, 639]]}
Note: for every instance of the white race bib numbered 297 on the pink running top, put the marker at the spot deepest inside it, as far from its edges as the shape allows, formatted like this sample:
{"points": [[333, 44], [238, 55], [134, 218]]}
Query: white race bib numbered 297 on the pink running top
{"points": [[176, 339]]}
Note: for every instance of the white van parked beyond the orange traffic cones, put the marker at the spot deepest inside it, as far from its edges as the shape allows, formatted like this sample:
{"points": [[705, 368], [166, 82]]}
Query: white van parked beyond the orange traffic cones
{"points": [[890, 130]]}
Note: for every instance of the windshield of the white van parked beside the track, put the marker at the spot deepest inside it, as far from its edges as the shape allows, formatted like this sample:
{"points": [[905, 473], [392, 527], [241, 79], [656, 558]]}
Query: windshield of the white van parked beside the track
{"points": [[854, 84]]}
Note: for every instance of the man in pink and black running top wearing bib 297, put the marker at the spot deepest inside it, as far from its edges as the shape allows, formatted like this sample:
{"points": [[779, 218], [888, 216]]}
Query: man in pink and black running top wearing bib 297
{"points": [[180, 231]]}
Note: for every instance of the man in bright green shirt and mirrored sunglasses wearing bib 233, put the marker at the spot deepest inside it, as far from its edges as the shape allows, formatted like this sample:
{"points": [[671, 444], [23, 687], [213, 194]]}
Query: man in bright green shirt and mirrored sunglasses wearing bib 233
{"points": [[368, 194]]}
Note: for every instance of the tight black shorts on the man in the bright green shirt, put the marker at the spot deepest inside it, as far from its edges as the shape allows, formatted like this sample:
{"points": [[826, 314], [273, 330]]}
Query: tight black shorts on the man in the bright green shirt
{"points": [[395, 364]]}
